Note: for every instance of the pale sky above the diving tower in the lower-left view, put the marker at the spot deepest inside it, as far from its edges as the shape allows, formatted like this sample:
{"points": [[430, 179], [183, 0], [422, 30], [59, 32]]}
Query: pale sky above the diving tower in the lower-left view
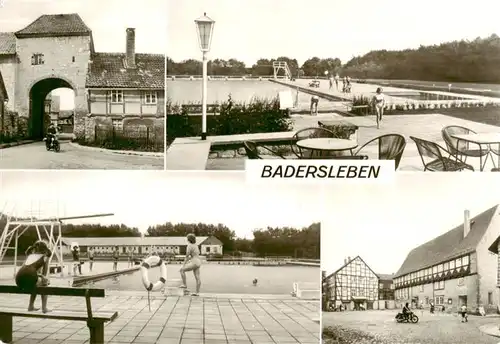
{"points": [[142, 198]]}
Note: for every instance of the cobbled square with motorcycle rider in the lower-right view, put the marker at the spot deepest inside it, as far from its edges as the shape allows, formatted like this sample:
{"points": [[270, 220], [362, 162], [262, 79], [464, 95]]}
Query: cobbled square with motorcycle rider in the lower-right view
{"points": [[380, 327]]}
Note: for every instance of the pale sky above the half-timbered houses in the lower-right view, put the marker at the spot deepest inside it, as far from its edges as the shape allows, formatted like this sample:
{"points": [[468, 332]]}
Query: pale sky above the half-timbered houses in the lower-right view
{"points": [[383, 223]]}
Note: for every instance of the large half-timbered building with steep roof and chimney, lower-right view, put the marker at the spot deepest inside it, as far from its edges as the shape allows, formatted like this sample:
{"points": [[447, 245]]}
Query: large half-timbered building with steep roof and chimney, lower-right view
{"points": [[455, 268]]}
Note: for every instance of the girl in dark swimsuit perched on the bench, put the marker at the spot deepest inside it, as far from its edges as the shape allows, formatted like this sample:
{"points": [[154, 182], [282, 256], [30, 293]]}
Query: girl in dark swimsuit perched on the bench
{"points": [[32, 273]]}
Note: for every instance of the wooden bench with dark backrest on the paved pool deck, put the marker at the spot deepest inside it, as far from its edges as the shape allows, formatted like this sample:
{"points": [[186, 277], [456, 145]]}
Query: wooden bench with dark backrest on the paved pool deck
{"points": [[95, 320]]}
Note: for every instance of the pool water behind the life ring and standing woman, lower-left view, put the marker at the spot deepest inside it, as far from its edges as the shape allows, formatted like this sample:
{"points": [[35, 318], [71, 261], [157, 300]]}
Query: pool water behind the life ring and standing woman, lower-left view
{"points": [[231, 279]]}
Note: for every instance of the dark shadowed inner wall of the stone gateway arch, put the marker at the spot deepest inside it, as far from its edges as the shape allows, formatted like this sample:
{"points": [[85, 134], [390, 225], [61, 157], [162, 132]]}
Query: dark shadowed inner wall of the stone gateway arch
{"points": [[40, 116]]}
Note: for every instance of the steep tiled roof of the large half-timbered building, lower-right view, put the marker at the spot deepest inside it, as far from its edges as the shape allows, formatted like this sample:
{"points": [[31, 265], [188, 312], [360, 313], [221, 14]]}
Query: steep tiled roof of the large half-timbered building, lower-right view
{"points": [[450, 245]]}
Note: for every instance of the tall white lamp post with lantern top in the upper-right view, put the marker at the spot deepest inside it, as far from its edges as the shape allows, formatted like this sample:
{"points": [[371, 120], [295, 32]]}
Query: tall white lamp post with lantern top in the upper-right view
{"points": [[205, 27]]}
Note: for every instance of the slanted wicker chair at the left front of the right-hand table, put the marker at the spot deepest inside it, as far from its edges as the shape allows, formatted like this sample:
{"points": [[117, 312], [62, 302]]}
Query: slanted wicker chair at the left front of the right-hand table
{"points": [[437, 161]]}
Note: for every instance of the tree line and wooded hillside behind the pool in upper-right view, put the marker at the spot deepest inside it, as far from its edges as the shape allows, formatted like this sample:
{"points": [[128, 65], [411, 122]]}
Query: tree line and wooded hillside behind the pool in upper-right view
{"points": [[457, 61]]}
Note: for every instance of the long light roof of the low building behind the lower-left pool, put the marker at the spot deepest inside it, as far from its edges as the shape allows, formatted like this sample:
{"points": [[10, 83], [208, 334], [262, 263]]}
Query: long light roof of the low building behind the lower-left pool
{"points": [[132, 241]]}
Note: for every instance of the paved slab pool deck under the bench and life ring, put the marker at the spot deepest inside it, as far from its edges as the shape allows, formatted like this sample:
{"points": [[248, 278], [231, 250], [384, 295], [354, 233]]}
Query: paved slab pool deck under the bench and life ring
{"points": [[208, 319]]}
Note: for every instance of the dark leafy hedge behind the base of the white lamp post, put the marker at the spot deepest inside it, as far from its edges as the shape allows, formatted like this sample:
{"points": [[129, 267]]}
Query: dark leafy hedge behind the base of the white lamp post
{"points": [[257, 116]]}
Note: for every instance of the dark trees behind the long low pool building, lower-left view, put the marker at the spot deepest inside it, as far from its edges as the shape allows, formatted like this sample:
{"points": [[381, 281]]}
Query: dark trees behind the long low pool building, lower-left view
{"points": [[302, 243]]}
